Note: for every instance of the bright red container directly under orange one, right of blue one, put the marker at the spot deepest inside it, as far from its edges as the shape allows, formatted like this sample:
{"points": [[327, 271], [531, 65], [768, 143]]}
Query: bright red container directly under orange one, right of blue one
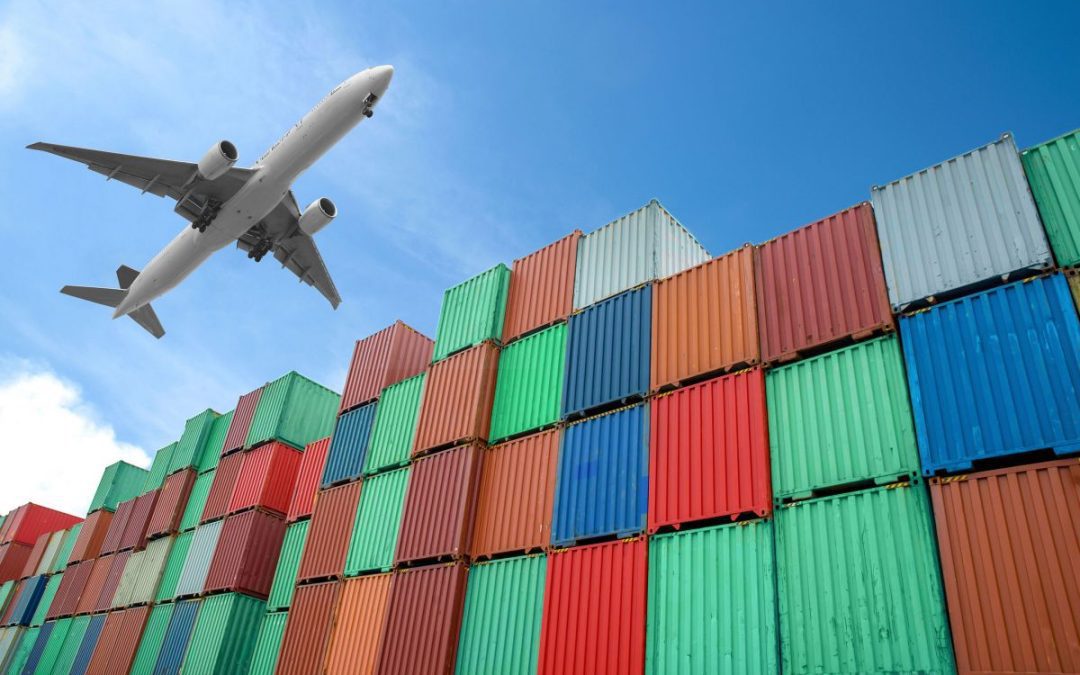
{"points": [[709, 452]]}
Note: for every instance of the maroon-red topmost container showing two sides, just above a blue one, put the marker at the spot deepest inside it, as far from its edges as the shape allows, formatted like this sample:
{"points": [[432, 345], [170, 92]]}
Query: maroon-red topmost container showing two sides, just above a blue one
{"points": [[396, 354]]}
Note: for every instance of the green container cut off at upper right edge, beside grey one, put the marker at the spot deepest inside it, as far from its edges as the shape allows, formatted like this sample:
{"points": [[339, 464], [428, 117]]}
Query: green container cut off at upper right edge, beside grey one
{"points": [[1054, 173]]}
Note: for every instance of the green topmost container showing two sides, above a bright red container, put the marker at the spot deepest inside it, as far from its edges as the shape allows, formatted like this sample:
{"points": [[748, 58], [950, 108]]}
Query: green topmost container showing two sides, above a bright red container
{"points": [[295, 411]]}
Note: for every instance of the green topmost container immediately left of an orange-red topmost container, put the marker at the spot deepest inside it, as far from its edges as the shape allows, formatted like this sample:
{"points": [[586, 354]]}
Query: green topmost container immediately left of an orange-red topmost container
{"points": [[472, 313]]}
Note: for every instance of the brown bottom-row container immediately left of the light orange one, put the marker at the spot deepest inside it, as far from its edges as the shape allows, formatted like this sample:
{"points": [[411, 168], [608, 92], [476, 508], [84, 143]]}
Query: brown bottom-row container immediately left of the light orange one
{"points": [[308, 629]]}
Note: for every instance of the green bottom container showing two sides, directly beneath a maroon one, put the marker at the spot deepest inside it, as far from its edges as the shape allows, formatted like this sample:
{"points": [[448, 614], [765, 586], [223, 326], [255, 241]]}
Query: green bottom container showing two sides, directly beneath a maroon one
{"points": [[224, 638]]}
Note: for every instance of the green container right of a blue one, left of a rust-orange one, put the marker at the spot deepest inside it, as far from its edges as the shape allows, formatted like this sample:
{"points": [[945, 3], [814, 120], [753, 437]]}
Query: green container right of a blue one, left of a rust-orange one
{"points": [[395, 427]]}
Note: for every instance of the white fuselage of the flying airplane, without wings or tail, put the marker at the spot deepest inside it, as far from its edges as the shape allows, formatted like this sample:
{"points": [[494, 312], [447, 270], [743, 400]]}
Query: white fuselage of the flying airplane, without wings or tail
{"points": [[275, 173]]}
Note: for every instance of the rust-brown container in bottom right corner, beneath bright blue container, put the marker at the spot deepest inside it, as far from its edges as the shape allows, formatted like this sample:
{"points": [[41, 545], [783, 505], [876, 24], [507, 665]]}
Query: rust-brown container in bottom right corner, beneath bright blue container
{"points": [[1010, 551]]}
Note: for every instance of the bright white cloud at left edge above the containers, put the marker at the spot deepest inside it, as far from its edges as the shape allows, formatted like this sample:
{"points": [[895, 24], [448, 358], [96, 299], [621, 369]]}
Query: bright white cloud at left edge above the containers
{"points": [[55, 445]]}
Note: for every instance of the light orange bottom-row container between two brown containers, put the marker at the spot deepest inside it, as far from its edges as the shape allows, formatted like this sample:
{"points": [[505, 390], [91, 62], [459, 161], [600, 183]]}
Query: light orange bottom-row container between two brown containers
{"points": [[358, 626]]}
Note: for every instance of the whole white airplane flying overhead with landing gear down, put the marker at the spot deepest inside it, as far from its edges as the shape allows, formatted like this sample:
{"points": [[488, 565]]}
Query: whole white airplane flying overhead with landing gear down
{"points": [[254, 208]]}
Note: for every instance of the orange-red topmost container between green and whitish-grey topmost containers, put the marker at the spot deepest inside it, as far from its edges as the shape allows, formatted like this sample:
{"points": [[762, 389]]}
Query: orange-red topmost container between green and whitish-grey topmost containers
{"points": [[542, 288]]}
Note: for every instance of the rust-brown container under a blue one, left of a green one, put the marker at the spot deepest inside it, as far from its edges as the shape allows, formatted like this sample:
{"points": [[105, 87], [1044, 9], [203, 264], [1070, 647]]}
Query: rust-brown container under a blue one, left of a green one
{"points": [[329, 534]]}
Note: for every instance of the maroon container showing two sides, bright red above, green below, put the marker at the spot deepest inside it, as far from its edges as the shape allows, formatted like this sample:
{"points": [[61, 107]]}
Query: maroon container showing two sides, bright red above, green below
{"points": [[247, 555]]}
